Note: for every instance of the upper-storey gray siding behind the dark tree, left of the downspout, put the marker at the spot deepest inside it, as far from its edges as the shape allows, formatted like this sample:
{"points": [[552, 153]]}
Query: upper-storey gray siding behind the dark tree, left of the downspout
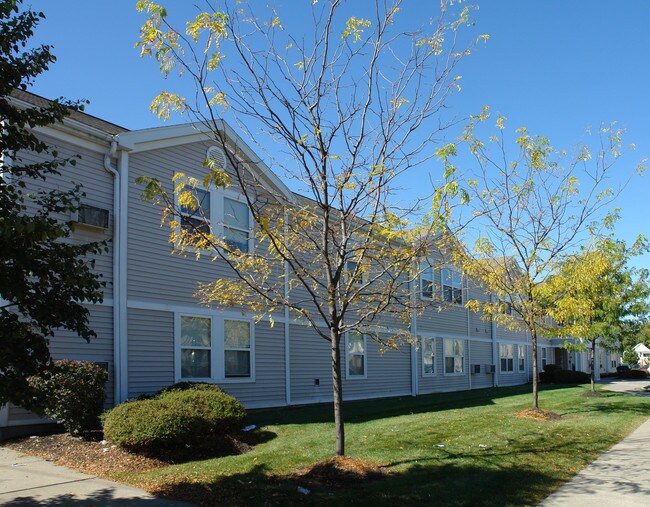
{"points": [[98, 187]]}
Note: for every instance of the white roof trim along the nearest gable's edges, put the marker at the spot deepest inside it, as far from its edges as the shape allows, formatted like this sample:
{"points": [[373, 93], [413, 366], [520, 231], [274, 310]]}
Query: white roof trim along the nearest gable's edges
{"points": [[174, 135]]}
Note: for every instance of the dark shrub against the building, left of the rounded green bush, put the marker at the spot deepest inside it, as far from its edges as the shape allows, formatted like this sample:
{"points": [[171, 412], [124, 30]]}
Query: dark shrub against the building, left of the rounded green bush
{"points": [[72, 393]]}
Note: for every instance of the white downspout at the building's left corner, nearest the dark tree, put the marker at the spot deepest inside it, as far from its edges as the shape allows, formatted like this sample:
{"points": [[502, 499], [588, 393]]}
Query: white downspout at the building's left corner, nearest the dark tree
{"points": [[117, 304]]}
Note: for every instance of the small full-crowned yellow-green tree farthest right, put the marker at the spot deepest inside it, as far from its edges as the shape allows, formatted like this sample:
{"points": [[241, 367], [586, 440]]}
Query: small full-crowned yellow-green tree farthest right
{"points": [[597, 297]]}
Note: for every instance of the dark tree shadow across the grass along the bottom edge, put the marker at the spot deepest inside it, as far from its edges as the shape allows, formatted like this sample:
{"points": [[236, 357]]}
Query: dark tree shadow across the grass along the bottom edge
{"points": [[420, 484]]}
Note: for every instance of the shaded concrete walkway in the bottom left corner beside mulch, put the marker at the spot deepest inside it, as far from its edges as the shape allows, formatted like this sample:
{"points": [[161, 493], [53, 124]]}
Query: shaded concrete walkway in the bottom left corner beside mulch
{"points": [[26, 480]]}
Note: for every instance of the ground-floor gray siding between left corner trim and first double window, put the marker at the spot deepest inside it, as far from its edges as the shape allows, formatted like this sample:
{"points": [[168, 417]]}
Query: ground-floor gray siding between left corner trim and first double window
{"points": [[150, 351]]}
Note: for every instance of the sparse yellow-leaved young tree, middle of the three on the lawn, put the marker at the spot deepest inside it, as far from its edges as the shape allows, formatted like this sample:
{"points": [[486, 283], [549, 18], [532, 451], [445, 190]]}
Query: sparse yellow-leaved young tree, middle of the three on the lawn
{"points": [[530, 212]]}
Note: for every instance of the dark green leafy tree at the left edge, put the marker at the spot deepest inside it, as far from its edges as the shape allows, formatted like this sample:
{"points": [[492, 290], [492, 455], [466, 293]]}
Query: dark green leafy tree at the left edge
{"points": [[43, 278]]}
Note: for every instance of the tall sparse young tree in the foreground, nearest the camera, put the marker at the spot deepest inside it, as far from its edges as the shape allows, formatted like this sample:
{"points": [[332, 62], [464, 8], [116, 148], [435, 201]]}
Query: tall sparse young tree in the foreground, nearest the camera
{"points": [[353, 103]]}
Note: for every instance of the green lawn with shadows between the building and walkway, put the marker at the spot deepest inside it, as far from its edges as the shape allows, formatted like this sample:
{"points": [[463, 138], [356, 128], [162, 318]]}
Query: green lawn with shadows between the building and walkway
{"points": [[448, 449]]}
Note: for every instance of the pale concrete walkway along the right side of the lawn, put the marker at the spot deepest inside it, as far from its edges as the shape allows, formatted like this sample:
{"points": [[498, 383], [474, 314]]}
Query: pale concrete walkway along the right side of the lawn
{"points": [[621, 476]]}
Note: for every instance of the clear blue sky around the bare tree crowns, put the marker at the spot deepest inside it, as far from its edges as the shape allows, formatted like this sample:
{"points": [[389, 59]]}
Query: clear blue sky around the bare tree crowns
{"points": [[556, 67]]}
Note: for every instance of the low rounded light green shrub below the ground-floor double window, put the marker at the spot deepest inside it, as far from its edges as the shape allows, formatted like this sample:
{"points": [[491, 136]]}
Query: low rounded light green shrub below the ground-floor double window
{"points": [[175, 416]]}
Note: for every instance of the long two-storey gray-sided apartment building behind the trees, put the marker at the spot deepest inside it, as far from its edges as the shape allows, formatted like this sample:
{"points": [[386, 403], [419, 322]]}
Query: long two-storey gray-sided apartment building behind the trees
{"points": [[151, 331]]}
